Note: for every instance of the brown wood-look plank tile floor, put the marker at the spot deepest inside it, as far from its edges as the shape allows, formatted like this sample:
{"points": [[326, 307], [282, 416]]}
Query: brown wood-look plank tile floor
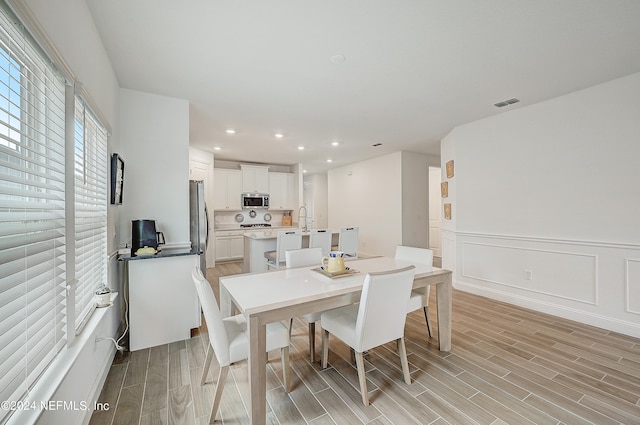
{"points": [[507, 365]]}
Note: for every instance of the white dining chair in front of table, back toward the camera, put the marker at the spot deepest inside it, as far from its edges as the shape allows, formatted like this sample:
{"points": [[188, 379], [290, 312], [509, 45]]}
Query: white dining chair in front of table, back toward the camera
{"points": [[378, 319]]}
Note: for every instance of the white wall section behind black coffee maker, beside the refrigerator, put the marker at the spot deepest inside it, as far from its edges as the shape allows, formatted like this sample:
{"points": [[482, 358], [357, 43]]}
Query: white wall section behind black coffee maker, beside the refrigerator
{"points": [[154, 132]]}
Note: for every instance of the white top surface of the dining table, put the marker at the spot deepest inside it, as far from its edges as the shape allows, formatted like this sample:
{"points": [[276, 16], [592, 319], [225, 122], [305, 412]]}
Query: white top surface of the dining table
{"points": [[253, 293]]}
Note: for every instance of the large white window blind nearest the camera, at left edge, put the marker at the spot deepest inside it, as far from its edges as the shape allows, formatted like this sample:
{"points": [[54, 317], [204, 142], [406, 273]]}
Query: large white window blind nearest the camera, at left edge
{"points": [[32, 212]]}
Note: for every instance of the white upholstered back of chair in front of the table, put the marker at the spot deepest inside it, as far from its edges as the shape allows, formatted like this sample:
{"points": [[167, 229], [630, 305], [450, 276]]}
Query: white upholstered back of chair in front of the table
{"points": [[383, 313]]}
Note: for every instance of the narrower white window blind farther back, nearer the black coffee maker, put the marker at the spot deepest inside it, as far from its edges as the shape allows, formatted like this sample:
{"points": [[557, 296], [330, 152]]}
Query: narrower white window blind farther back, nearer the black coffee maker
{"points": [[90, 165]]}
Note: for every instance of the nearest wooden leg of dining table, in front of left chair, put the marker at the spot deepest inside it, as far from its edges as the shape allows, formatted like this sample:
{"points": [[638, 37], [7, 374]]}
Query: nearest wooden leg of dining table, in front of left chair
{"points": [[257, 371]]}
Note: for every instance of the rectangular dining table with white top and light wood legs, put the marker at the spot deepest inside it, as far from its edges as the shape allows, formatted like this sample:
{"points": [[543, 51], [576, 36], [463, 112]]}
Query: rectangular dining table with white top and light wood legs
{"points": [[282, 294]]}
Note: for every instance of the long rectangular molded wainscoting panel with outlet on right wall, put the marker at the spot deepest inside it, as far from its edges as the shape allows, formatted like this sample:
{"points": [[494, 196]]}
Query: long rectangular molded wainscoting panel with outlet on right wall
{"points": [[570, 275]]}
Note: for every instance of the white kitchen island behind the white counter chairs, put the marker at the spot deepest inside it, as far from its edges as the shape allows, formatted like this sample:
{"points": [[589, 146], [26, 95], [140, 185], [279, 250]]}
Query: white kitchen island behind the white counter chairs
{"points": [[256, 243]]}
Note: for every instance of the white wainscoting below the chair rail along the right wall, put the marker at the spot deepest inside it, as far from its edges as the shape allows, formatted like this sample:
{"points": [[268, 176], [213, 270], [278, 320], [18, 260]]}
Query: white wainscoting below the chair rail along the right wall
{"points": [[593, 282]]}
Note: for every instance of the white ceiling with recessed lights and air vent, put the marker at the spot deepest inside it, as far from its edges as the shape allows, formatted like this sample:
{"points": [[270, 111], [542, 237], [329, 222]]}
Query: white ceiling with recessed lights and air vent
{"points": [[412, 70]]}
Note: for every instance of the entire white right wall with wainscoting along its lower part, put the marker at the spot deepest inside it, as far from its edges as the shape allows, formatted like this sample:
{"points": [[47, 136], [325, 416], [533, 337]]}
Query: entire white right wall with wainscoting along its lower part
{"points": [[552, 189]]}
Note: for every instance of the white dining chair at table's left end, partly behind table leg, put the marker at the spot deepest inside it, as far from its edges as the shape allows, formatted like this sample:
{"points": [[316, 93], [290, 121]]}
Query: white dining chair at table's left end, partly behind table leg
{"points": [[229, 341]]}
